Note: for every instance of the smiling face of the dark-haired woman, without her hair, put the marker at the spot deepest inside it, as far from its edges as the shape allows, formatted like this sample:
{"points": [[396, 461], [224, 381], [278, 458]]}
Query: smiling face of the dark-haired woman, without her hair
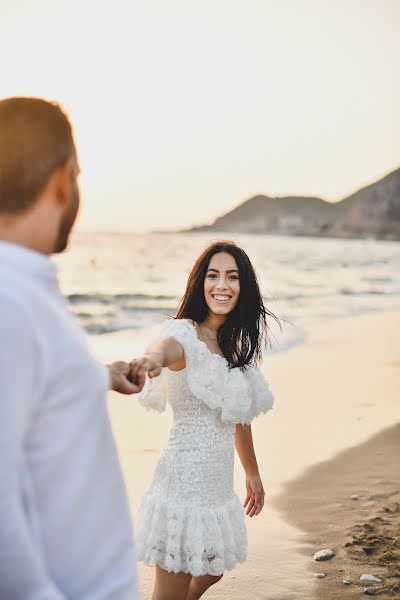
{"points": [[221, 284]]}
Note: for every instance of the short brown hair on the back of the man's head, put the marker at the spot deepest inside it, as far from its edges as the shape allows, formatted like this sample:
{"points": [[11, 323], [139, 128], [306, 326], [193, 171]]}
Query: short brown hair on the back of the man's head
{"points": [[35, 139]]}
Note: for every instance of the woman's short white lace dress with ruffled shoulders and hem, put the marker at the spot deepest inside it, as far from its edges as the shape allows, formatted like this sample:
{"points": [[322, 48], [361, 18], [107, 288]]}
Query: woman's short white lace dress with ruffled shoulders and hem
{"points": [[190, 520]]}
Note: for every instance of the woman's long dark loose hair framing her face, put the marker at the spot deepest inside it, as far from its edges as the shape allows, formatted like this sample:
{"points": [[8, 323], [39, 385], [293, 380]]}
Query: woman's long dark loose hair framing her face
{"points": [[245, 332]]}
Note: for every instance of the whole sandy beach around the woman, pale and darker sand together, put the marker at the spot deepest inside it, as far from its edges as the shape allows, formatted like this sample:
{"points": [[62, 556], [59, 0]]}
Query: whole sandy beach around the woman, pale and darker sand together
{"points": [[333, 393]]}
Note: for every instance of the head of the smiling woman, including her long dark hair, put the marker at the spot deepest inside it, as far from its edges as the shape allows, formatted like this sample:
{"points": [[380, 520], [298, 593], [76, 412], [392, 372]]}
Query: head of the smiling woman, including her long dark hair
{"points": [[223, 295]]}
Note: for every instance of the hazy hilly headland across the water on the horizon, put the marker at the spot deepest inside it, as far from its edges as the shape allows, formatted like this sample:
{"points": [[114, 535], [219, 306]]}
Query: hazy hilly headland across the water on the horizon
{"points": [[371, 212]]}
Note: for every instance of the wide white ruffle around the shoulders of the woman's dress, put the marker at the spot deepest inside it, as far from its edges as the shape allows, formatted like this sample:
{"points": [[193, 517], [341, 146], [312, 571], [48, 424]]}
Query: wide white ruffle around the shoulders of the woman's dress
{"points": [[239, 396]]}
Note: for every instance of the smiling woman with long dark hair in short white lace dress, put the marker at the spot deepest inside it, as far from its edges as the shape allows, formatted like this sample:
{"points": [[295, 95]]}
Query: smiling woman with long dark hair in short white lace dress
{"points": [[191, 523]]}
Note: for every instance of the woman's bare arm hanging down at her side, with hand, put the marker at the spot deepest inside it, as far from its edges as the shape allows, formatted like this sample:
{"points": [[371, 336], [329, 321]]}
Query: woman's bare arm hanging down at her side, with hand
{"points": [[254, 487]]}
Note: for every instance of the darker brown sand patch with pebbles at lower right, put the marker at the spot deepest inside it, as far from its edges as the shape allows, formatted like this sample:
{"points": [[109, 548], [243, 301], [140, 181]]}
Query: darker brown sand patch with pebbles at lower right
{"points": [[354, 509]]}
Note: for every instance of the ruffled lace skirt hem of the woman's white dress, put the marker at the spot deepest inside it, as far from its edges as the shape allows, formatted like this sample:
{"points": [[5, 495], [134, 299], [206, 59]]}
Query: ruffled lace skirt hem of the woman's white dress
{"points": [[191, 539]]}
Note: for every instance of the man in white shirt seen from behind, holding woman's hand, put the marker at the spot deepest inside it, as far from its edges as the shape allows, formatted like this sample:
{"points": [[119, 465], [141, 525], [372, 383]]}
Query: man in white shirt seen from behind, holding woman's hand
{"points": [[65, 529]]}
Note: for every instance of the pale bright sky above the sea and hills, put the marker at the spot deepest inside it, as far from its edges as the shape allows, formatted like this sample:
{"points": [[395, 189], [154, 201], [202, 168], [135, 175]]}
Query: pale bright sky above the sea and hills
{"points": [[182, 110]]}
